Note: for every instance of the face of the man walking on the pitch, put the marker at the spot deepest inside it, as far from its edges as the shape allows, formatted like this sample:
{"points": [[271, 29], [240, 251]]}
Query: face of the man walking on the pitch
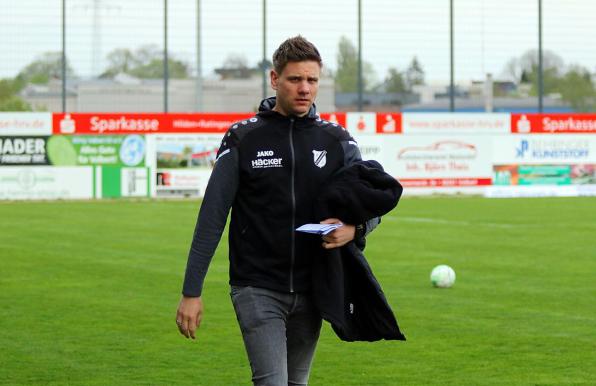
{"points": [[296, 87]]}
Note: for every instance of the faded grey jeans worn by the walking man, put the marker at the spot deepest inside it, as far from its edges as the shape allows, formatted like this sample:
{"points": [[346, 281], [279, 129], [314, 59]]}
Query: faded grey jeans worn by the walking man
{"points": [[280, 332]]}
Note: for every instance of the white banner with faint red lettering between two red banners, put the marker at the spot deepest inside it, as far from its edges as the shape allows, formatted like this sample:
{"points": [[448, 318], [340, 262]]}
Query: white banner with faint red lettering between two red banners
{"points": [[455, 123]]}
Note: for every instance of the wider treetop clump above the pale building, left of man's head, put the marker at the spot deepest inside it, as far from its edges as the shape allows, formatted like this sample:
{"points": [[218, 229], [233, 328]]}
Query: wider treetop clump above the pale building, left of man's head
{"points": [[145, 62]]}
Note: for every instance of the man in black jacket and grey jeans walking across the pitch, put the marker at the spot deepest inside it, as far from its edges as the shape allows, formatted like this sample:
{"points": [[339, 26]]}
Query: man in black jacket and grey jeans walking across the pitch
{"points": [[268, 171]]}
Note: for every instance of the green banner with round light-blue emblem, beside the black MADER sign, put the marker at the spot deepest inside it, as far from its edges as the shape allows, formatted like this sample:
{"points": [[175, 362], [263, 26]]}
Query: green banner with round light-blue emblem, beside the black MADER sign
{"points": [[105, 150]]}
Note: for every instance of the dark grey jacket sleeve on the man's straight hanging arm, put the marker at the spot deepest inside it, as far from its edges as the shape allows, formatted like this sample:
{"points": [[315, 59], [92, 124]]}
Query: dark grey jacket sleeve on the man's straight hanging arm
{"points": [[218, 199]]}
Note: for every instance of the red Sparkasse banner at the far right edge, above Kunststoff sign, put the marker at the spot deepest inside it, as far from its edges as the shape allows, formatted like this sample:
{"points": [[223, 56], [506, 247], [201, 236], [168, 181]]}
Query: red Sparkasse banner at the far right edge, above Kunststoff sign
{"points": [[553, 123]]}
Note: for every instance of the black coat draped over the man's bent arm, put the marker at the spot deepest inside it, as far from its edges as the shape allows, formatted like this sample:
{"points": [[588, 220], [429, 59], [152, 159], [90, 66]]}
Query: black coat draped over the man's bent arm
{"points": [[344, 288]]}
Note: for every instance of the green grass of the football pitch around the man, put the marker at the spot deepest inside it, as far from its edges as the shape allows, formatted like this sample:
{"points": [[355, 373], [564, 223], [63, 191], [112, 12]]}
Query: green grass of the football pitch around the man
{"points": [[88, 293]]}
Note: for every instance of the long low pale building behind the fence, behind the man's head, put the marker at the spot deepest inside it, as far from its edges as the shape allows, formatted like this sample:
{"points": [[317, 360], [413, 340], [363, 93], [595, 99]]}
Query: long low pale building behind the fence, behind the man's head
{"points": [[128, 94]]}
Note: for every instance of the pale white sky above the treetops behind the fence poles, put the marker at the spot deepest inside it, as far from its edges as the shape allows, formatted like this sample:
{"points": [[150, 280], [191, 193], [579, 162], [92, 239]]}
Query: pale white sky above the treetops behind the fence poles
{"points": [[487, 33]]}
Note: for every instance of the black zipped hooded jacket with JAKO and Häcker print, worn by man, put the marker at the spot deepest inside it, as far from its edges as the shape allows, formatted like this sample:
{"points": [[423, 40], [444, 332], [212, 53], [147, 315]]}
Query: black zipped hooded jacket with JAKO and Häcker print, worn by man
{"points": [[269, 170]]}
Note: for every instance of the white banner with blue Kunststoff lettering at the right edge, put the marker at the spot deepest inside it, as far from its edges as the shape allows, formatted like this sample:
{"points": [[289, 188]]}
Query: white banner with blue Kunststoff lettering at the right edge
{"points": [[544, 149]]}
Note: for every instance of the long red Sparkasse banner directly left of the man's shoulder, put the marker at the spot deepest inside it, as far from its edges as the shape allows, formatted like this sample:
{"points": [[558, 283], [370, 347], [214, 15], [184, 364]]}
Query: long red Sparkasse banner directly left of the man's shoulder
{"points": [[140, 123]]}
